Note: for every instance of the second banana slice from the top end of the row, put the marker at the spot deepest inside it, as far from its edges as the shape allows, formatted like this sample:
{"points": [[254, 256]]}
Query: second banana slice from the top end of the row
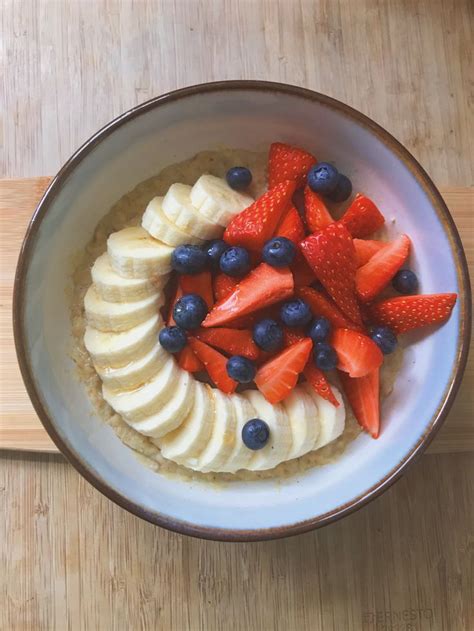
{"points": [[178, 209]]}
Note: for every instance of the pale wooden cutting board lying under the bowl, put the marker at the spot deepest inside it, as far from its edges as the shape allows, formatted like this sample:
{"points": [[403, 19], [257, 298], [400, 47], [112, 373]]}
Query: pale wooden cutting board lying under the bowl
{"points": [[19, 426]]}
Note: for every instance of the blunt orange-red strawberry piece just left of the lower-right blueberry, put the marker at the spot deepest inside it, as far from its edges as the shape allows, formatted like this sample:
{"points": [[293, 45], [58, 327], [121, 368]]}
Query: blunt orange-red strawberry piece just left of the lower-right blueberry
{"points": [[358, 354]]}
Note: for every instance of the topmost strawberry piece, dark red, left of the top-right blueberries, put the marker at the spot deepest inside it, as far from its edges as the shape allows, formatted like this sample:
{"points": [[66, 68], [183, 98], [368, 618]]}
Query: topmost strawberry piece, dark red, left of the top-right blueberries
{"points": [[288, 163]]}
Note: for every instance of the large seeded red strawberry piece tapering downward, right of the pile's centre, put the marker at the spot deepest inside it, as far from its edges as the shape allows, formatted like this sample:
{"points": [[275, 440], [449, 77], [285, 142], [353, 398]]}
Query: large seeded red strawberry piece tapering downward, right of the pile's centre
{"points": [[331, 255]]}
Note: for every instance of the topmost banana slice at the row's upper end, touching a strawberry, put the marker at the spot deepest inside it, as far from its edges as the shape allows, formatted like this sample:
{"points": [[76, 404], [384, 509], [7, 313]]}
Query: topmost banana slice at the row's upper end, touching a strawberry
{"points": [[214, 199]]}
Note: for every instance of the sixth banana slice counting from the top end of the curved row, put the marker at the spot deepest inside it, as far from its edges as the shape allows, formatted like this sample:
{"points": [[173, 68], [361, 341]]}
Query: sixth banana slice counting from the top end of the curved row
{"points": [[119, 316]]}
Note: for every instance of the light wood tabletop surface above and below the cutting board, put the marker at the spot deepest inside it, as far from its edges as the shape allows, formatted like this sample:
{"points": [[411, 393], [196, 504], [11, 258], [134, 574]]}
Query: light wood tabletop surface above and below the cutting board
{"points": [[69, 558]]}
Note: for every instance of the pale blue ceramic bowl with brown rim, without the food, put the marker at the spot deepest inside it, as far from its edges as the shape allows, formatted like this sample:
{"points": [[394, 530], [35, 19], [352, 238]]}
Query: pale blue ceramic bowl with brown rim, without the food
{"points": [[247, 115]]}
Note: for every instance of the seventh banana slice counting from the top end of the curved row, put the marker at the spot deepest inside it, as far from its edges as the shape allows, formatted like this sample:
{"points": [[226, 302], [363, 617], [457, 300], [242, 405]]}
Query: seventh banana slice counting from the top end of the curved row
{"points": [[113, 350]]}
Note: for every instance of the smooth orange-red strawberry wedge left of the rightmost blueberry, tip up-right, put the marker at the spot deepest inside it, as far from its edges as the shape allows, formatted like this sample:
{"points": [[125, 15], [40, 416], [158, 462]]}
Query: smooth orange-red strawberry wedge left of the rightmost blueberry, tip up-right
{"points": [[376, 274]]}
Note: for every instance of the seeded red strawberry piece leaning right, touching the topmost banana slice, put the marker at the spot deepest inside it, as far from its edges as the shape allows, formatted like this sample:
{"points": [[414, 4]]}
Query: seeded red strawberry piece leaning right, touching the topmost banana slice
{"points": [[256, 224]]}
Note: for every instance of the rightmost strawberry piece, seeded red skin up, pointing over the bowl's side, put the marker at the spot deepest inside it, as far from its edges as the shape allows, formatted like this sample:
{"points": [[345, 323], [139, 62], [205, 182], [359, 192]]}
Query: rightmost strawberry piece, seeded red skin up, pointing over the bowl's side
{"points": [[406, 313]]}
